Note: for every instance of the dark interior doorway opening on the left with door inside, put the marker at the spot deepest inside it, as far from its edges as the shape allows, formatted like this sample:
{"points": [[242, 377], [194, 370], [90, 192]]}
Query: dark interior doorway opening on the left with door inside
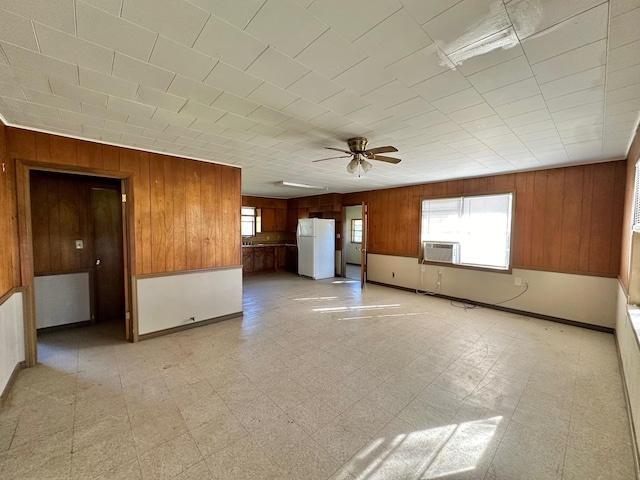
{"points": [[79, 250]]}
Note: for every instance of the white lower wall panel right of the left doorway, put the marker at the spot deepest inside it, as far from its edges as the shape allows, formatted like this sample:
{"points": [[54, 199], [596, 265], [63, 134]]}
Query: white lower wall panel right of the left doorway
{"points": [[171, 300]]}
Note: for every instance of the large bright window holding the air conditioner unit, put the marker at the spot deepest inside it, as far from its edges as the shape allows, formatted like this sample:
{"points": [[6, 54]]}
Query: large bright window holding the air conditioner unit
{"points": [[473, 231]]}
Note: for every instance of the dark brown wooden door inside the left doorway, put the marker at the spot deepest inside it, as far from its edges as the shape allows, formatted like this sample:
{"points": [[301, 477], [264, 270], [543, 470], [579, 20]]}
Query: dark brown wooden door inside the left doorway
{"points": [[106, 209]]}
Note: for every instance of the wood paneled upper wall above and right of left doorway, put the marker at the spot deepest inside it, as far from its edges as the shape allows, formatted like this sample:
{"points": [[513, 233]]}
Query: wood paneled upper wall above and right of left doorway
{"points": [[186, 214]]}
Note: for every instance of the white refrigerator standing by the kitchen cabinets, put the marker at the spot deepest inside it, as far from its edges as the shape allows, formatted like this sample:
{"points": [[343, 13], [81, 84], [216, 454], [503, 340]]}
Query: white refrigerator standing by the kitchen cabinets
{"points": [[316, 247]]}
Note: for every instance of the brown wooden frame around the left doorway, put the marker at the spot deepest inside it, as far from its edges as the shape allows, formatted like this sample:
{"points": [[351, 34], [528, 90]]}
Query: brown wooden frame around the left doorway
{"points": [[25, 244]]}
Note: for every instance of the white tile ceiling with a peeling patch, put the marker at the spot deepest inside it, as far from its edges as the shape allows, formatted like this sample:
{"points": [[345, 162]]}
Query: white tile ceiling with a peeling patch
{"points": [[461, 87]]}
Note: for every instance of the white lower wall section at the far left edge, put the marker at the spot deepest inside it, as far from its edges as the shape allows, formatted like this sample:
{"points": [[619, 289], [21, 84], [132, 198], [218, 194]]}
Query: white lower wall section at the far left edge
{"points": [[11, 337]]}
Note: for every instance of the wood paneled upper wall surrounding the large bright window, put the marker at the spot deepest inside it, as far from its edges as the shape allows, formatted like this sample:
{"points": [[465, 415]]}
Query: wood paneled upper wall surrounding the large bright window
{"points": [[566, 219]]}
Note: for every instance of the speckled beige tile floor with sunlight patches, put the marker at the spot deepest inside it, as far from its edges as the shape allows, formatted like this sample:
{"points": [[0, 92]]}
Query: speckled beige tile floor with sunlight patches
{"points": [[319, 380]]}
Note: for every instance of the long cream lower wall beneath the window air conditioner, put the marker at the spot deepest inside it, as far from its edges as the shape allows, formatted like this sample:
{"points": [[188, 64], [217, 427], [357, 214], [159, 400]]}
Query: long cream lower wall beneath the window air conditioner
{"points": [[580, 298]]}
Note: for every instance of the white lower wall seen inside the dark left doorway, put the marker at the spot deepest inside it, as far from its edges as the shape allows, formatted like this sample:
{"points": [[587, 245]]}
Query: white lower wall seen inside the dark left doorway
{"points": [[62, 299]]}
